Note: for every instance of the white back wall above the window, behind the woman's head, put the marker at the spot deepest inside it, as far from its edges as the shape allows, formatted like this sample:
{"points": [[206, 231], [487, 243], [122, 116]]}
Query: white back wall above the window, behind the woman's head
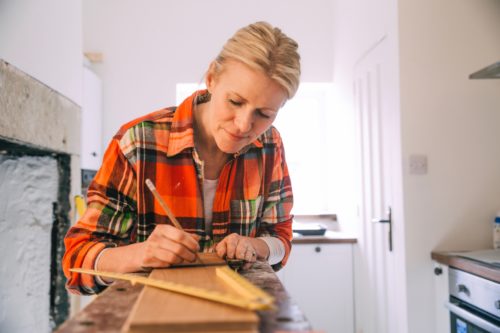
{"points": [[149, 46]]}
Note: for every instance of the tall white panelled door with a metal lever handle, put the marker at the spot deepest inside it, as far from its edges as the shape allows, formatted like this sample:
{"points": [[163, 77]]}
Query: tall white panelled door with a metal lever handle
{"points": [[379, 260]]}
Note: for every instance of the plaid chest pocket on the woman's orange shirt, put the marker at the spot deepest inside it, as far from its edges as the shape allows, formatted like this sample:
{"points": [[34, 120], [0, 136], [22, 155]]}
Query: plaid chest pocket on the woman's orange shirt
{"points": [[244, 215]]}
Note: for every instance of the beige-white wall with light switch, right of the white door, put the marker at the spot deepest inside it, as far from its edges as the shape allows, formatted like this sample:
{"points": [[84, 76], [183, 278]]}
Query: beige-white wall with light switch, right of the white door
{"points": [[455, 122]]}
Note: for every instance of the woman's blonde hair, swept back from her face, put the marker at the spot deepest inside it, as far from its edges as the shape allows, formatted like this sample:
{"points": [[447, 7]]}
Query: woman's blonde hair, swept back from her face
{"points": [[266, 48]]}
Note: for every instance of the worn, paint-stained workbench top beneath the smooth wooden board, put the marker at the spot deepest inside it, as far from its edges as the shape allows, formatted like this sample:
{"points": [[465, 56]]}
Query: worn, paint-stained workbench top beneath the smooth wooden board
{"points": [[109, 311]]}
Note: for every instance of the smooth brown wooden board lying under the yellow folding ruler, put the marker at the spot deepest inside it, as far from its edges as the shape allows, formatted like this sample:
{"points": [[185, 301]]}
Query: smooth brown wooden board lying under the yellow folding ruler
{"points": [[164, 311]]}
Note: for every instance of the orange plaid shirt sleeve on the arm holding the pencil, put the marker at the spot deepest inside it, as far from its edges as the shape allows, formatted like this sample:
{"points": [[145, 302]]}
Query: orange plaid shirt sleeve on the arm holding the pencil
{"points": [[107, 222]]}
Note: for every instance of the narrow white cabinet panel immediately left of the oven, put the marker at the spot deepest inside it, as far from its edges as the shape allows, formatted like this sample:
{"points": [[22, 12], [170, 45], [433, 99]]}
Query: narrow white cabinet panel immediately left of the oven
{"points": [[441, 292]]}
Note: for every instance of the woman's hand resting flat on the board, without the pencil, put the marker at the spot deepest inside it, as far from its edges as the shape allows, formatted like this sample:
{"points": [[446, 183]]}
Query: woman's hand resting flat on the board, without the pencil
{"points": [[249, 249]]}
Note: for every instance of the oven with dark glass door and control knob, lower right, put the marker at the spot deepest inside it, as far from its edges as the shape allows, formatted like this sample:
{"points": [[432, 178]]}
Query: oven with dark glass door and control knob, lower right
{"points": [[474, 303]]}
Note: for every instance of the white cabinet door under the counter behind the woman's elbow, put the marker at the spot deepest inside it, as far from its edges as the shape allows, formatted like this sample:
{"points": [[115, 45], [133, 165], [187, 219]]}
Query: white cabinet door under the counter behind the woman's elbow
{"points": [[319, 277]]}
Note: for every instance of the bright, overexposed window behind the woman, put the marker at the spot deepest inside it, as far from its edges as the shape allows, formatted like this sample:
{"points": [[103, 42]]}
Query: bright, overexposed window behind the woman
{"points": [[318, 147]]}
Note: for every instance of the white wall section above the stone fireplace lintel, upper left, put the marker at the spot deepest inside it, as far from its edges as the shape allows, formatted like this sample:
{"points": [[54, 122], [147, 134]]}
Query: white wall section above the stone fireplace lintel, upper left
{"points": [[44, 39]]}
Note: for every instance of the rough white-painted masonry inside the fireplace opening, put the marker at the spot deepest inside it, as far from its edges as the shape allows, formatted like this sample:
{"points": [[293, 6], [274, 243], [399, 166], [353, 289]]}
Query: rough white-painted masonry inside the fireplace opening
{"points": [[25, 271]]}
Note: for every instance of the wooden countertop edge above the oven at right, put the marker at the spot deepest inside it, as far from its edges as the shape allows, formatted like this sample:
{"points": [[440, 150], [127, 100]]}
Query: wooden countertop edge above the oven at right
{"points": [[453, 259]]}
